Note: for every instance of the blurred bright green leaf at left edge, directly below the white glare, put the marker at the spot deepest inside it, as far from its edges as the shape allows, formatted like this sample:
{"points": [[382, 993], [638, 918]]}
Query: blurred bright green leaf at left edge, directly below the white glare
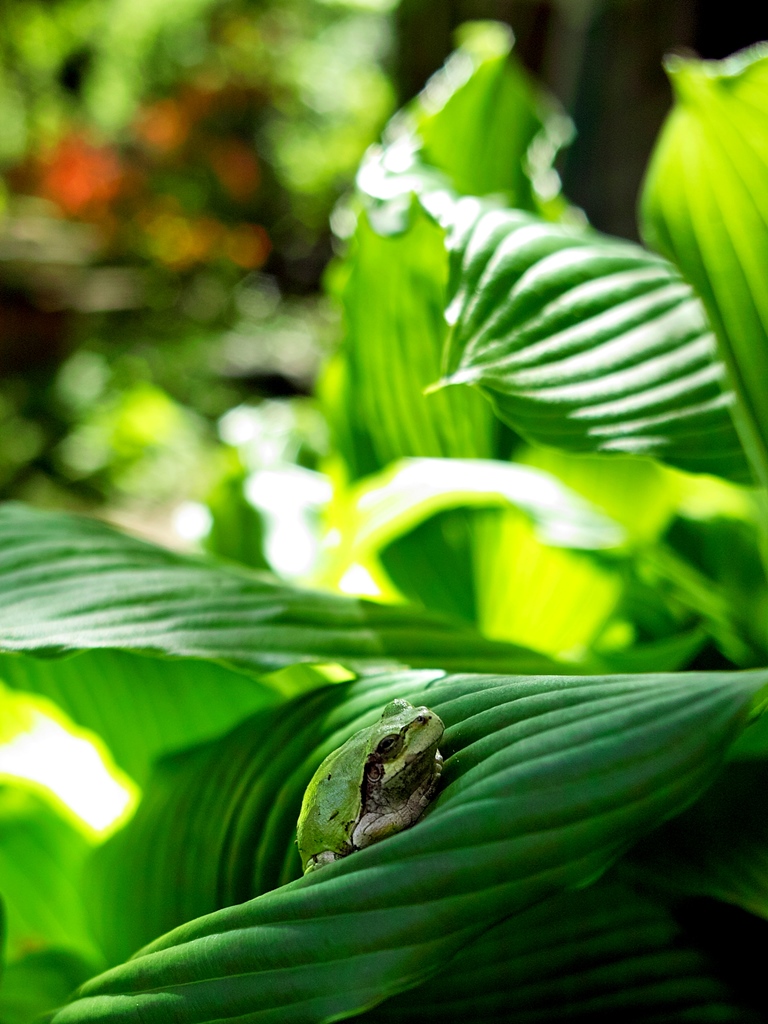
{"points": [[42, 859]]}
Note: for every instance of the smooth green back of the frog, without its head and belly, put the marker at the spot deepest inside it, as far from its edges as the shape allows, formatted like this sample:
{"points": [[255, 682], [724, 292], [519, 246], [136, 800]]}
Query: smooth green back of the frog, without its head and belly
{"points": [[323, 826]]}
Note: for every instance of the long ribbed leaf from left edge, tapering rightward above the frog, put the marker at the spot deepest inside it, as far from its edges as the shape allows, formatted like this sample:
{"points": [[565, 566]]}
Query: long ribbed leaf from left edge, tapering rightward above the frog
{"points": [[72, 584]]}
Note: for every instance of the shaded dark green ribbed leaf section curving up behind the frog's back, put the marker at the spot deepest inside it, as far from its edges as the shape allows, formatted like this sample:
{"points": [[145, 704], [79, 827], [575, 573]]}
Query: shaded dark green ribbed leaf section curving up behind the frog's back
{"points": [[217, 825]]}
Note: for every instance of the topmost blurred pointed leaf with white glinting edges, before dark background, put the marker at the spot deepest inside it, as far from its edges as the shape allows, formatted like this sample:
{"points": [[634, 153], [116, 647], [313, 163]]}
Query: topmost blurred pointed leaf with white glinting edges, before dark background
{"points": [[481, 127]]}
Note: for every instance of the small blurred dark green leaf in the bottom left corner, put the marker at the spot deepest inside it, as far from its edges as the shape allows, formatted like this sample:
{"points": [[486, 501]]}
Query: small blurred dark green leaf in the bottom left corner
{"points": [[40, 983]]}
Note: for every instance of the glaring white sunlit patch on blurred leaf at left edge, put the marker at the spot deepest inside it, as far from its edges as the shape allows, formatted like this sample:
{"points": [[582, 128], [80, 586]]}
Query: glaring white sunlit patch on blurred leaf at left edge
{"points": [[71, 767]]}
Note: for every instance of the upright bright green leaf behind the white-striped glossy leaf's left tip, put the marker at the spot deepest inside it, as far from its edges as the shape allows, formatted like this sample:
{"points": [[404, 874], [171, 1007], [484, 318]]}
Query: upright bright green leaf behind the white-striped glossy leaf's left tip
{"points": [[395, 331]]}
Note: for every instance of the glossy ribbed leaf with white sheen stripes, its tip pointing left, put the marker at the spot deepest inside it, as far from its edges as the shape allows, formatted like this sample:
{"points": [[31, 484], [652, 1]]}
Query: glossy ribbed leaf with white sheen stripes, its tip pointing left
{"points": [[586, 344]]}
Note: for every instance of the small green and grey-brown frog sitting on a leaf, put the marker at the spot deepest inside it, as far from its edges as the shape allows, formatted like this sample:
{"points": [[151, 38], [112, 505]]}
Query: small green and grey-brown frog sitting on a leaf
{"points": [[380, 782]]}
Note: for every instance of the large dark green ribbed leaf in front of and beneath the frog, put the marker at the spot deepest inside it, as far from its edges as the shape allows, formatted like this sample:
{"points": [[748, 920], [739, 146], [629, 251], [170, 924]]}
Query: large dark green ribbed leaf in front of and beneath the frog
{"points": [[547, 781]]}
